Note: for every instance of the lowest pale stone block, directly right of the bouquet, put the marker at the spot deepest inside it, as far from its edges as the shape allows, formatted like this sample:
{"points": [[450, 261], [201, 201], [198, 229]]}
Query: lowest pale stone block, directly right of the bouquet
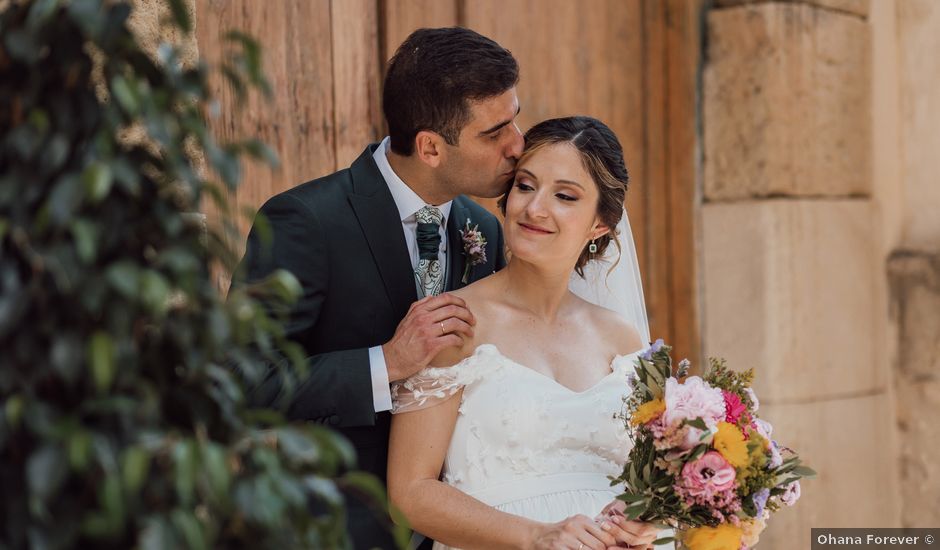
{"points": [[851, 445]]}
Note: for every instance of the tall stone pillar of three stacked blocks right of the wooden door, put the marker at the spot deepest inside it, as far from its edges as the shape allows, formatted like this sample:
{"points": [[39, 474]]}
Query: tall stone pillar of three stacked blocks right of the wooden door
{"points": [[793, 274]]}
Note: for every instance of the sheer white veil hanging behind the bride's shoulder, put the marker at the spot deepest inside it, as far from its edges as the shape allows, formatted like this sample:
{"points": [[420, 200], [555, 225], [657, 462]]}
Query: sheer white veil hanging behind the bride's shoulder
{"points": [[616, 285]]}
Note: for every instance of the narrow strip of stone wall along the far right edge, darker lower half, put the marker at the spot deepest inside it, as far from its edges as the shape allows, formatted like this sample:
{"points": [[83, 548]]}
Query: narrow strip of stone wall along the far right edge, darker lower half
{"points": [[914, 264]]}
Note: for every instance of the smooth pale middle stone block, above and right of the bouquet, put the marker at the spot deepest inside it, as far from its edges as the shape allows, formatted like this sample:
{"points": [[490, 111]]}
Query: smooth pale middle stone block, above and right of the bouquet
{"points": [[789, 289]]}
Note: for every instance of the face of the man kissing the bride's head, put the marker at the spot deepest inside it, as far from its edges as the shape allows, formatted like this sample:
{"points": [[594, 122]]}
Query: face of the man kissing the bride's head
{"points": [[484, 160]]}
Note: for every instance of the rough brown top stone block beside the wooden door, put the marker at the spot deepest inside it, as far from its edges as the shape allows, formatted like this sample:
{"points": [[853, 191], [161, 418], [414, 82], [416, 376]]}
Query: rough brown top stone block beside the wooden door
{"points": [[787, 103]]}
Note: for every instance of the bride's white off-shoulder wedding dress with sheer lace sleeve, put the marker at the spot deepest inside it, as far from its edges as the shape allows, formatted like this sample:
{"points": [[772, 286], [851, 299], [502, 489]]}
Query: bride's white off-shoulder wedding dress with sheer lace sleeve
{"points": [[523, 443]]}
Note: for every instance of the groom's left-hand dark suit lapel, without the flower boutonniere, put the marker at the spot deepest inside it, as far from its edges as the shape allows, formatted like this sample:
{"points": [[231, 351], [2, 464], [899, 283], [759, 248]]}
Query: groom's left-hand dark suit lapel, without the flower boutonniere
{"points": [[379, 219]]}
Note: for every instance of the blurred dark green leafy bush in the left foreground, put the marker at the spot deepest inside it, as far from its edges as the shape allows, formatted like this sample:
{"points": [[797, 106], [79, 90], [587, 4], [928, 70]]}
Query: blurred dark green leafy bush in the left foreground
{"points": [[123, 422]]}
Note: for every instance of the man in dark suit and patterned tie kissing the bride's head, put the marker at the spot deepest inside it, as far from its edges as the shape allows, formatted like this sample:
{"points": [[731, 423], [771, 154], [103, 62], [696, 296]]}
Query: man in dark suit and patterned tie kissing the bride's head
{"points": [[375, 245]]}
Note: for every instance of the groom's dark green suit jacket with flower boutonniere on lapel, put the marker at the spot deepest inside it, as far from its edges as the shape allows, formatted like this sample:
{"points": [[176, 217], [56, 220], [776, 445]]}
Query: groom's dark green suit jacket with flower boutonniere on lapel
{"points": [[341, 236]]}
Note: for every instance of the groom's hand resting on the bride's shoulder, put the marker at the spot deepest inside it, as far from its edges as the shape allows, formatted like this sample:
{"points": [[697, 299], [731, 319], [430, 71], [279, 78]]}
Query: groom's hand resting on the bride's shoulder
{"points": [[431, 325]]}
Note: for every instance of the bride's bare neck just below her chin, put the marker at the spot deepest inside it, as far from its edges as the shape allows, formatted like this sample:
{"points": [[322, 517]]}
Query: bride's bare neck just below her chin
{"points": [[540, 291]]}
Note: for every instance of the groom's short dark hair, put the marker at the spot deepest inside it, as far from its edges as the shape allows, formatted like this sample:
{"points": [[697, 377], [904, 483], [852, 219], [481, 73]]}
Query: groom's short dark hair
{"points": [[432, 78]]}
